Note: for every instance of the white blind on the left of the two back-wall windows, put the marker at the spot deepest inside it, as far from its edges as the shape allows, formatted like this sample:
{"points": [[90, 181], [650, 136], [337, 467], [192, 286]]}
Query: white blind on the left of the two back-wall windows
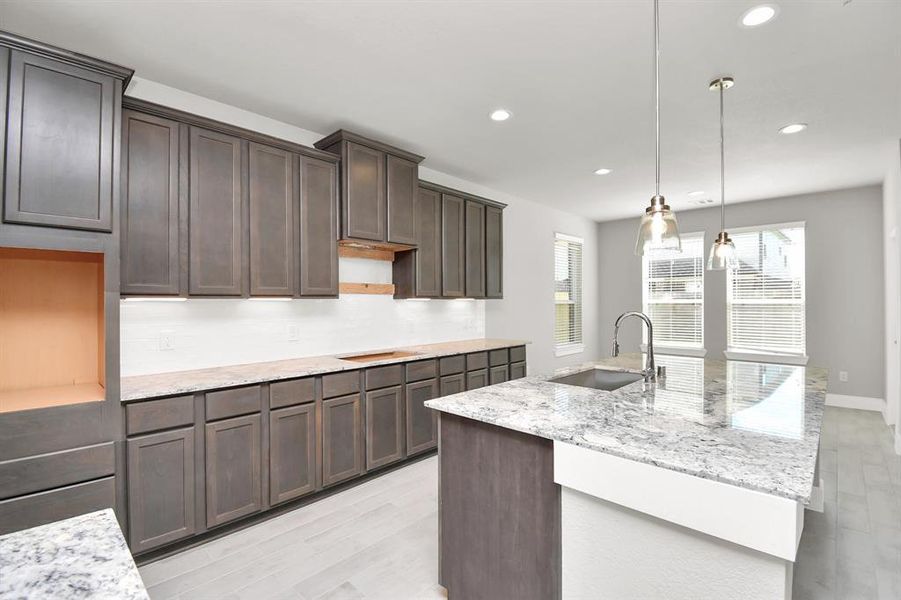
{"points": [[673, 295]]}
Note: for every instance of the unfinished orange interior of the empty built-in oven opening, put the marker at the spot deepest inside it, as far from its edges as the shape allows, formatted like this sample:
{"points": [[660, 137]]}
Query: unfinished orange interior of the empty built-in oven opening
{"points": [[51, 328]]}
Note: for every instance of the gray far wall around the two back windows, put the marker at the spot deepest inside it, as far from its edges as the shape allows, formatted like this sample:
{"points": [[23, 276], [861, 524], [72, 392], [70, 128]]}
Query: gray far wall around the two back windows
{"points": [[844, 264]]}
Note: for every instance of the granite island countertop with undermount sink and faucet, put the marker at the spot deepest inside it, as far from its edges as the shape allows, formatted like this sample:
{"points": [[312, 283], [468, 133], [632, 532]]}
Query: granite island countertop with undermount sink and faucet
{"points": [[752, 425]]}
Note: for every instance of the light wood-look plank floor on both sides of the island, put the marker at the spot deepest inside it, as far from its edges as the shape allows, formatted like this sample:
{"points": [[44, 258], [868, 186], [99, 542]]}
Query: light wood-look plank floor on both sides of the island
{"points": [[379, 540]]}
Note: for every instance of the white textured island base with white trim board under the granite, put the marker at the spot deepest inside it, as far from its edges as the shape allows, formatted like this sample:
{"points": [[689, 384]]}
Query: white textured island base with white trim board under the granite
{"points": [[633, 530]]}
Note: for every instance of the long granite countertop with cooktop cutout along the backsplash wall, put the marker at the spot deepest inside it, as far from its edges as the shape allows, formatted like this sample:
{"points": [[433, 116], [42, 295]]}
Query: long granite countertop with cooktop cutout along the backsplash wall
{"points": [[140, 387]]}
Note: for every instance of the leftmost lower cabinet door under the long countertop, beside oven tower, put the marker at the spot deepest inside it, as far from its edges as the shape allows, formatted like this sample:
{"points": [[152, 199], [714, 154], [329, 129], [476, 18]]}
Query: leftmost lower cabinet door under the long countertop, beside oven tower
{"points": [[160, 488]]}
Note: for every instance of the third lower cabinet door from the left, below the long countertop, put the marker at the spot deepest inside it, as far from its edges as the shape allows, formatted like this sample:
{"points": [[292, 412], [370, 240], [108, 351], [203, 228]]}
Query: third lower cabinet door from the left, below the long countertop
{"points": [[292, 452]]}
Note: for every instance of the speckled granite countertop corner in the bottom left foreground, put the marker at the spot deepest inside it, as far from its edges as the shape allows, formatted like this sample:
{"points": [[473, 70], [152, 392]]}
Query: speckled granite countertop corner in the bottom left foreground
{"points": [[82, 557]]}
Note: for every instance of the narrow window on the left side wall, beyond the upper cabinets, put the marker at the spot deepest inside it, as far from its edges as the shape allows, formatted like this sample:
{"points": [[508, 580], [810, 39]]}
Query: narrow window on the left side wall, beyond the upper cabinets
{"points": [[567, 294]]}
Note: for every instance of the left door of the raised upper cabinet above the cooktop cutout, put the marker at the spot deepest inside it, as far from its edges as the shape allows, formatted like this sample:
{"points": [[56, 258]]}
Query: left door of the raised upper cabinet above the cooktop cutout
{"points": [[364, 205]]}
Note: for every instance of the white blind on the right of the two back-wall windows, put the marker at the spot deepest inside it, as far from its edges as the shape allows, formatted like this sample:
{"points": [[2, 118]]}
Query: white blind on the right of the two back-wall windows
{"points": [[765, 293]]}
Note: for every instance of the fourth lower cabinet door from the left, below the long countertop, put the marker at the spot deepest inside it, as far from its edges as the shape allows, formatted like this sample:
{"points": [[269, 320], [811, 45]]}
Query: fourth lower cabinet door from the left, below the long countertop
{"points": [[342, 439]]}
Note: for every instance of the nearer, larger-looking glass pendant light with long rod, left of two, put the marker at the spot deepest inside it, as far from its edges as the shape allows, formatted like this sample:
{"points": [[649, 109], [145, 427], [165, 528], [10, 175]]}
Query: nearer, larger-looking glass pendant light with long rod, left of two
{"points": [[658, 229]]}
